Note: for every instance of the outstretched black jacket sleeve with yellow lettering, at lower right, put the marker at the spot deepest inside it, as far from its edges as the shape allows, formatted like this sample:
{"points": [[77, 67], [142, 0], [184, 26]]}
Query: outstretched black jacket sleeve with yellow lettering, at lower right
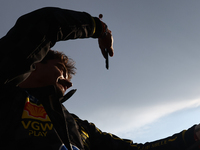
{"points": [[96, 139]]}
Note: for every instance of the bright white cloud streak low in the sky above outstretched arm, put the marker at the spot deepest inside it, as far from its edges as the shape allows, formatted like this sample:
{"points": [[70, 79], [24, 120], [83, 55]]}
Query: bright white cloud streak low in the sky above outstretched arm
{"points": [[145, 115]]}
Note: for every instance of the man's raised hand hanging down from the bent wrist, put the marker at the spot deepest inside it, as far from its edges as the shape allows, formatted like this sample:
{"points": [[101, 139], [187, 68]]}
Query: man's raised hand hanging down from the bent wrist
{"points": [[106, 43]]}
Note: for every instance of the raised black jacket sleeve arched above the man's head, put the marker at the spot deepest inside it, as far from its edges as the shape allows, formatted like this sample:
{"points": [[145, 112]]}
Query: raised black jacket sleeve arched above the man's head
{"points": [[35, 33]]}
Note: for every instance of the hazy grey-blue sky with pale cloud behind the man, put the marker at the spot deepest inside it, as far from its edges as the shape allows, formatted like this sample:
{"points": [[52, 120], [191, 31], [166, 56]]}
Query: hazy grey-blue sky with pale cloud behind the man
{"points": [[152, 88]]}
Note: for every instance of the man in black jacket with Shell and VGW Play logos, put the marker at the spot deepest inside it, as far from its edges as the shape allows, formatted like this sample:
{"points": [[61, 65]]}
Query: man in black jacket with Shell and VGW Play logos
{"points": [[34, 79]]}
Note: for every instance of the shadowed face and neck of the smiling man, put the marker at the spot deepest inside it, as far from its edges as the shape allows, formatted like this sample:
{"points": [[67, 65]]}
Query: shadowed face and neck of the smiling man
{"points": [[52, 73]]}
